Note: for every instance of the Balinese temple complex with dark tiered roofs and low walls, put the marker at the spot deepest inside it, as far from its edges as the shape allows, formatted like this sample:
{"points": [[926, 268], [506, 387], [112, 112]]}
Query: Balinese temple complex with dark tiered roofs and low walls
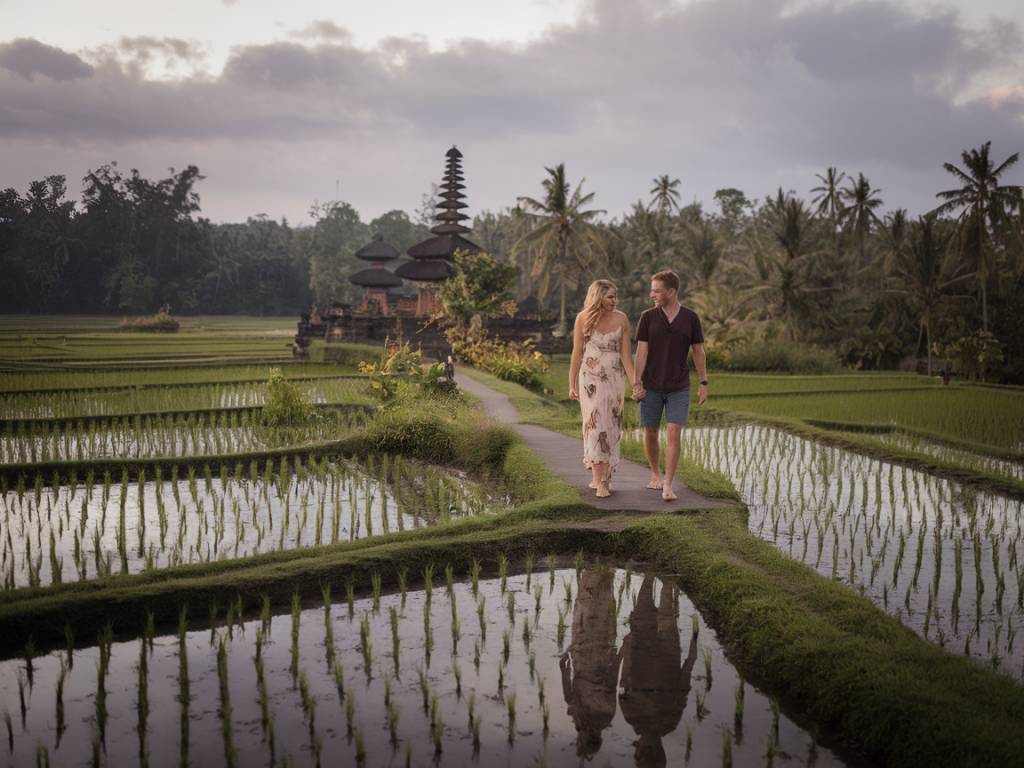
{"points": [[383, 314]]}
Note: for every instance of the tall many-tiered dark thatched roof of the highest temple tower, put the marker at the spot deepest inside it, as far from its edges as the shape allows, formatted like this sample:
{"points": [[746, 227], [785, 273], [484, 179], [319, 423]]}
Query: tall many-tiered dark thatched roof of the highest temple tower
{"points": [[433, 259]]}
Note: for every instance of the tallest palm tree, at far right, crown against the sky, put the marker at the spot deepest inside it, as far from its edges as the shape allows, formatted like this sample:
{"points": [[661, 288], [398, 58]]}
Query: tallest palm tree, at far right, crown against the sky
{"points": [[983, 202]]}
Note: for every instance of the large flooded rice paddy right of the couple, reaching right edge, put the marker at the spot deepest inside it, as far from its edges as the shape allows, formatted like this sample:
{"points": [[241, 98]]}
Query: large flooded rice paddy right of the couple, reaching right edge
{"points": [[947, 560]]}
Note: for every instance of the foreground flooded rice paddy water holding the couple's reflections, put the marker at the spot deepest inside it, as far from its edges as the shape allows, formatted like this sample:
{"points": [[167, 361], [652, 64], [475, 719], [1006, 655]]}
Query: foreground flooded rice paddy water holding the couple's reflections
{"points": [[638, 678]]}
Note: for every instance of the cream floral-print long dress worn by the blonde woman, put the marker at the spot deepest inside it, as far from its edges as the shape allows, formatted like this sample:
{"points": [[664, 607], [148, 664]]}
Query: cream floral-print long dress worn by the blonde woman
{"points": [[603, 388]]}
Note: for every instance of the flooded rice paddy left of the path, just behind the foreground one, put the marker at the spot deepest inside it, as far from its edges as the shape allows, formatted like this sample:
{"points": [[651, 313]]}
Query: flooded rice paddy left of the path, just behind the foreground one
{"points": [[112, 525]]}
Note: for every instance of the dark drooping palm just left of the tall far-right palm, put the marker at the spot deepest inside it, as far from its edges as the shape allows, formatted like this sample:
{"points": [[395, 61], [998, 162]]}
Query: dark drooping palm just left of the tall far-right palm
{"points": [[925, 273]]}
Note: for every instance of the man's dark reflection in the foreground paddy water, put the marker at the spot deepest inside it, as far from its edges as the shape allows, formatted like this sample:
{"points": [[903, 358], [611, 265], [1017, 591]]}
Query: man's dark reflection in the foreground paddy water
{"points": [[655, 686]]}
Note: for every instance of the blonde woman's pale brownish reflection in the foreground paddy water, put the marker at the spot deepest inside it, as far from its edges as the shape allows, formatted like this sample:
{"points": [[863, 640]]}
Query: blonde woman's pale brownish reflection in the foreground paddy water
{"points": [[590, 666]]}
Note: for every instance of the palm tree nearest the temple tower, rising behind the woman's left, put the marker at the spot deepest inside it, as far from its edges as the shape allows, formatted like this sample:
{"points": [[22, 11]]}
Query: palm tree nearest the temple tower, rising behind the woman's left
{"points": [[564, 243]]}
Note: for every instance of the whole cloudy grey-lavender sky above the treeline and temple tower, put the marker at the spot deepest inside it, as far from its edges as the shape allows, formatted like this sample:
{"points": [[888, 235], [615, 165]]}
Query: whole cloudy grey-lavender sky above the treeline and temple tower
{"points": [[284, 104]]}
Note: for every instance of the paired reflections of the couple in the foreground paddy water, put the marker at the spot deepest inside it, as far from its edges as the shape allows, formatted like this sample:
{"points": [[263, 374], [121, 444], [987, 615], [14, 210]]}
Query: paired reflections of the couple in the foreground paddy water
{"points": [[655, 685]]}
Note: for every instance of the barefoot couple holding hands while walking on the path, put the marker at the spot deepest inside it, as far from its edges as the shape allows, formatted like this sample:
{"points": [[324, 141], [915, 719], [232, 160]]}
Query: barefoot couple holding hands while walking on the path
{"points": [[660, 379]]}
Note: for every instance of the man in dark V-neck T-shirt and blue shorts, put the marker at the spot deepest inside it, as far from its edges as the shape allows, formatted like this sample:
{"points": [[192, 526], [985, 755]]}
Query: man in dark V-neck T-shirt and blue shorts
{"points": [[665, 335]]}
